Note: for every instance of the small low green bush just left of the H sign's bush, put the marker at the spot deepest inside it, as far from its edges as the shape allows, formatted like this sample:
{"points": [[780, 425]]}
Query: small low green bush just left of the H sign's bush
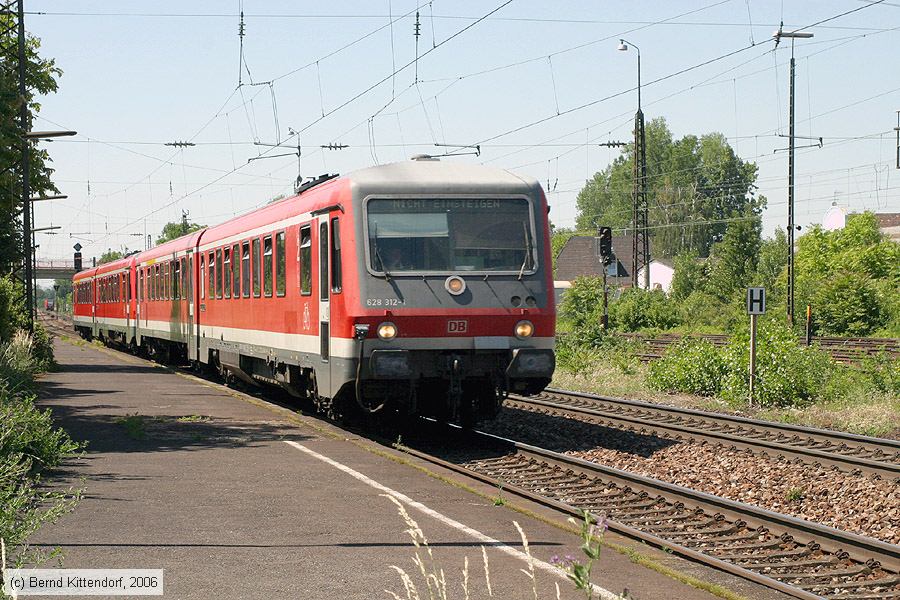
{"points": [[691, 365]]}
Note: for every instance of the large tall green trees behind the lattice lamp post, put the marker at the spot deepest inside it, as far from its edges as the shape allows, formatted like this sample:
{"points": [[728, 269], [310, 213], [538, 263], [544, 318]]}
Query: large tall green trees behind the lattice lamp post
{"points": [[695, 184]]}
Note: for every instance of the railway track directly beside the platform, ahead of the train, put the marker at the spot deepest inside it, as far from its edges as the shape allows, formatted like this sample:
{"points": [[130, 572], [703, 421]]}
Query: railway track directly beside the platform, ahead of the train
{"points": [[799, 558]]}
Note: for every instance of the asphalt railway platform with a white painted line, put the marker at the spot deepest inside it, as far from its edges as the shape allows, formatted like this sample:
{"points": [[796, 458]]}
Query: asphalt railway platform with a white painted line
{"points": [[237, 497]]}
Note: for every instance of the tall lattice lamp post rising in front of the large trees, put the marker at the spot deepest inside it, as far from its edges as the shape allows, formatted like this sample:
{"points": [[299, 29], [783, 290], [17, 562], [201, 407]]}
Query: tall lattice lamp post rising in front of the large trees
{"points": [[640, 243]]}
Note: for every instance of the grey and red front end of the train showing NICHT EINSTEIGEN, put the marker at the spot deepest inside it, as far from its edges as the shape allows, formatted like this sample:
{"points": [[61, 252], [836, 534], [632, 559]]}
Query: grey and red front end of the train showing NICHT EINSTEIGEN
{"points": [[456, 305]]}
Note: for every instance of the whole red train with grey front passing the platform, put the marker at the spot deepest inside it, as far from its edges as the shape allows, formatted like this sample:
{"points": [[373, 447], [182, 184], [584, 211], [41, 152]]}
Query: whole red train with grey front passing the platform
{"points": [[422, 287]]}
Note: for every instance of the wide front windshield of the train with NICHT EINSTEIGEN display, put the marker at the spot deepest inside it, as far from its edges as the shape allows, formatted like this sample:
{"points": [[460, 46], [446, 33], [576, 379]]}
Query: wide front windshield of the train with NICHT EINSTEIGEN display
{"points": [[450, 235]]}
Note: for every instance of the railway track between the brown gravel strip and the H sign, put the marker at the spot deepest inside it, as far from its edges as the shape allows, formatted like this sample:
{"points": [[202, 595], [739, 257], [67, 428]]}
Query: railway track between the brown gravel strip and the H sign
{"points": [[839, 450]]}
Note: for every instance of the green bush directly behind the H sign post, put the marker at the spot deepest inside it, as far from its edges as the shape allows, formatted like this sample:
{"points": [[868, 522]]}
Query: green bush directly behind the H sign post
{"points": [[787, 374]]}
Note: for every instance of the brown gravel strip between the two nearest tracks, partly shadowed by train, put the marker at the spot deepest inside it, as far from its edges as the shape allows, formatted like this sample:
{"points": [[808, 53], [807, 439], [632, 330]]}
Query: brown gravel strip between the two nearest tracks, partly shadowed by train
{"points": [[858, 503]]}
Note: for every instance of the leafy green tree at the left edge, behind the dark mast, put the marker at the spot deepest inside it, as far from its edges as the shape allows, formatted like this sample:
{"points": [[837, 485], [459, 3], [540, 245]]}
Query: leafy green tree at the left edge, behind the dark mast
{"points": [[41, 76]]}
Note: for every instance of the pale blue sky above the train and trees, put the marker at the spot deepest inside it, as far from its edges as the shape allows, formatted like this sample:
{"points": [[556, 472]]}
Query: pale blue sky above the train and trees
{"points": [[538, 84]]}
